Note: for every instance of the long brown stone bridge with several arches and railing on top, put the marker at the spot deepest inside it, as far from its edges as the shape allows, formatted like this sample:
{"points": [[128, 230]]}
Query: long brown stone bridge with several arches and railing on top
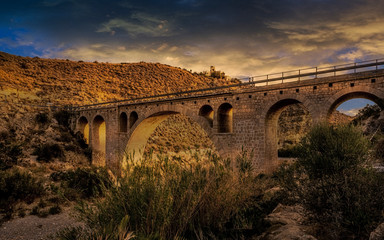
{"points": [[243, 116]]}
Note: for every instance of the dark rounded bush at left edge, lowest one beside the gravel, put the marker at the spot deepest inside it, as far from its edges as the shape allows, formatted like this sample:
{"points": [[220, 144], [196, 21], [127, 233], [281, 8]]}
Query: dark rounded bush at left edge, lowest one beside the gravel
{"points": [[16, 186]]}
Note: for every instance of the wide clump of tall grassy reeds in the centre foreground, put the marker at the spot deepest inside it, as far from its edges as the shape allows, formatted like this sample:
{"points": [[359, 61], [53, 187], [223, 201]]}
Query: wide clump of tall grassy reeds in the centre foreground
{"points": [[164, 199]]}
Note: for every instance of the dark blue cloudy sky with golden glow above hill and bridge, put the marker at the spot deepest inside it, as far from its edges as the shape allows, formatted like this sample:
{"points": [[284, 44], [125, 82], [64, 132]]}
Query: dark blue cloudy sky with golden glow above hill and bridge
{"points": [[240, 37]]}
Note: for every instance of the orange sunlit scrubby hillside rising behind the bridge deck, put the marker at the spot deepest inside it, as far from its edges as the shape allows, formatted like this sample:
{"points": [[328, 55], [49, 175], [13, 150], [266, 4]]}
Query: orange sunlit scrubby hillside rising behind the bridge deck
{"points": [[67, 82]]}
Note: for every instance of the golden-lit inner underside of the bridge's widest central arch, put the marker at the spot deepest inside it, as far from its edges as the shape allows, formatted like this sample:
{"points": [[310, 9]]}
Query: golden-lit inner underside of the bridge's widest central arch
{"points": [[137, 142]]}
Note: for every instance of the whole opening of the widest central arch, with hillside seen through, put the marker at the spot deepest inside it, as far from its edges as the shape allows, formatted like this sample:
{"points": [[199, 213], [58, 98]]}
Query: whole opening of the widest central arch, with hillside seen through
{"points": [[168, 133]]}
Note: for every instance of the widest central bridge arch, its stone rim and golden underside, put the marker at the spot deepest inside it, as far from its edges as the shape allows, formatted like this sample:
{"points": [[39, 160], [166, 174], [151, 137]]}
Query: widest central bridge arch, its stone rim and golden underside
{"points": [[147, 124]]}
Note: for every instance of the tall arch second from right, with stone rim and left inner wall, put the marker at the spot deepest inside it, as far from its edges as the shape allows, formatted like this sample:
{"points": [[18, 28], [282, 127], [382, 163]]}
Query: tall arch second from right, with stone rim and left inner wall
{"points": [[271, 115]]}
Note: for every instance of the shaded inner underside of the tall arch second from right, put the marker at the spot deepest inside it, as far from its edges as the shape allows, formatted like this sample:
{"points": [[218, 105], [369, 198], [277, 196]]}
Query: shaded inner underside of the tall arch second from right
{"points": [[271, 128]]}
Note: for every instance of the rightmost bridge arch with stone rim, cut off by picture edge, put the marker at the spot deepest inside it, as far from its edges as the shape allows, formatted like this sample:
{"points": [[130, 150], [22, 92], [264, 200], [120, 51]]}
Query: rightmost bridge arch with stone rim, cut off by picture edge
{"points": [[346, 94]]}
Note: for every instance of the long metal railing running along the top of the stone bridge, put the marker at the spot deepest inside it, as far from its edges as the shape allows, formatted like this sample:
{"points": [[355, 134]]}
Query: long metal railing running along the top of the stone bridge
{"points": [[255, 81]]}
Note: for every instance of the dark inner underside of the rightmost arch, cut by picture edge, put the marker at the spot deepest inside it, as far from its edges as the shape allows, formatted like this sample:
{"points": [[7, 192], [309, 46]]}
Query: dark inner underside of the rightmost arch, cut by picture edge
{"points": [[341, 98]]}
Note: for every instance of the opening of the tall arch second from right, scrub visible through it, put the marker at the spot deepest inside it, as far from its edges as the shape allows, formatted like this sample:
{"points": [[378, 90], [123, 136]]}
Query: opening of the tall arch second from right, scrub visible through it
{"points": [[286, 122]]}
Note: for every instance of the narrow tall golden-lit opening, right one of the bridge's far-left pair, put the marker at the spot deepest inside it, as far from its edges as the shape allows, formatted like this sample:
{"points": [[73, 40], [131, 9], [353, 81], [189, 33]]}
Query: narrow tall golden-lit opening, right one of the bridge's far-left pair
{"points": [[99, 140]]}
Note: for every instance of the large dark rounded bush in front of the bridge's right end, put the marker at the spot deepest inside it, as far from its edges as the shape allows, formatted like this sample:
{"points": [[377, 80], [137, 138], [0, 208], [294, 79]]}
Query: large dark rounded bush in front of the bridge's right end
{"points": [[332, 181]]}
